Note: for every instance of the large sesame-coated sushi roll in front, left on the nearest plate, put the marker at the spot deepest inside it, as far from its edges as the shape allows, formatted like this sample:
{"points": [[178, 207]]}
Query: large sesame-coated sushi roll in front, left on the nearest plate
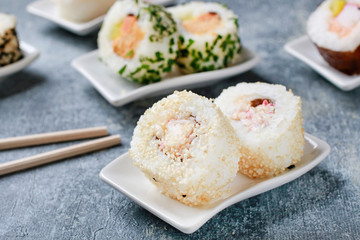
{"points": [[187, 148]]}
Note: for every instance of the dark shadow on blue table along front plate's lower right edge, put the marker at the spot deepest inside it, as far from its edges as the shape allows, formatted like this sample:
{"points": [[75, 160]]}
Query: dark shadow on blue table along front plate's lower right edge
{"points": [[290, 202]]}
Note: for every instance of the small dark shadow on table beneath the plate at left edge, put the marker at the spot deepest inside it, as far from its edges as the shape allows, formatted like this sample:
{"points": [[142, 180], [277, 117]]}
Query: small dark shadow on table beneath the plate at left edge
{"points": [[19, 82]]}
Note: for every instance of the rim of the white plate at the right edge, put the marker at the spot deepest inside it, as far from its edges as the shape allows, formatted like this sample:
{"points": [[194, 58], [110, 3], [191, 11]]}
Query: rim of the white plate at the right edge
{"points": [[328, 74]]}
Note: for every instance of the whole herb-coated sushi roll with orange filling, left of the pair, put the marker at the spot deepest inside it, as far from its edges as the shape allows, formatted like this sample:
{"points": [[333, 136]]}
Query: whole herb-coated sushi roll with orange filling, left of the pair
{"points": [[137, 41]]}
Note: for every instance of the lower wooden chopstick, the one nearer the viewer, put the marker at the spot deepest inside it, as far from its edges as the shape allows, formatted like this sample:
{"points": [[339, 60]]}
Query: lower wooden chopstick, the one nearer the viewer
{"points": [[58, 154]]}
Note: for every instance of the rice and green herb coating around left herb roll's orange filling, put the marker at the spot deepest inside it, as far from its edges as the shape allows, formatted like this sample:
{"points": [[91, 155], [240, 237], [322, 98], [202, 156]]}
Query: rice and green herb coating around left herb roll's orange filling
{"points": [[155, 54]]}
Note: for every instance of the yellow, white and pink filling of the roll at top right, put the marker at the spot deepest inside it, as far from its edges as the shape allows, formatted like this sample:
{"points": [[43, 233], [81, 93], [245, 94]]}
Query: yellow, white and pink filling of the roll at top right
{"points": [[346, 17]]}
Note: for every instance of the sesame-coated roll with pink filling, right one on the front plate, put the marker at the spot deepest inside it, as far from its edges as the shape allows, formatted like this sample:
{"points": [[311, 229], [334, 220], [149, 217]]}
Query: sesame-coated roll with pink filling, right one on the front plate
{"points": [[268, 122]]}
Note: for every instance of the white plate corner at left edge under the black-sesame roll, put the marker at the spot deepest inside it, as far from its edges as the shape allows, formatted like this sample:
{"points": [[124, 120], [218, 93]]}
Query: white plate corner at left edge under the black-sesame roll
{"points": [[29, 55]]}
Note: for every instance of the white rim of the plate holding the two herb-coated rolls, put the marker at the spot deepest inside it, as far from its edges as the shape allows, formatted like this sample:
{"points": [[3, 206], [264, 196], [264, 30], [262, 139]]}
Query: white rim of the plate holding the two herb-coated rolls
{"points": [[146, 90]]}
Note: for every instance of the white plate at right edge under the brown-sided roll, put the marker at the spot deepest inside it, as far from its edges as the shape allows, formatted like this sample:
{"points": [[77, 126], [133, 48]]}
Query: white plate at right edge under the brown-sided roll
{"points": [[304, 49]]}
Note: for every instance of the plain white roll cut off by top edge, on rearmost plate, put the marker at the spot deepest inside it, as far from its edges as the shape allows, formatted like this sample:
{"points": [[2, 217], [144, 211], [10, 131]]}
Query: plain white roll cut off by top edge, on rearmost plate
{"points": [[82, 10]]}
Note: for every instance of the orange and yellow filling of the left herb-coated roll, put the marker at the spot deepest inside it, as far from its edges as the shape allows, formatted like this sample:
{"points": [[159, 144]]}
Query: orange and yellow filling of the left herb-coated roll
{"points": [[126, 37]]}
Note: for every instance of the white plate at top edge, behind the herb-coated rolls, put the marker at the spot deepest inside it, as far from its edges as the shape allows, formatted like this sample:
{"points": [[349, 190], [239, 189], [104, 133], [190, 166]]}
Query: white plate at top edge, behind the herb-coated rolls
{"points": [[47, 10]]}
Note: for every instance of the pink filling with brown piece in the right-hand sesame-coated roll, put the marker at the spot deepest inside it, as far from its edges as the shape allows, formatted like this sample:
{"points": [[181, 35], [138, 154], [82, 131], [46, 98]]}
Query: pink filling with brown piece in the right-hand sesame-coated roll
{"points": [[254, 114]]}
